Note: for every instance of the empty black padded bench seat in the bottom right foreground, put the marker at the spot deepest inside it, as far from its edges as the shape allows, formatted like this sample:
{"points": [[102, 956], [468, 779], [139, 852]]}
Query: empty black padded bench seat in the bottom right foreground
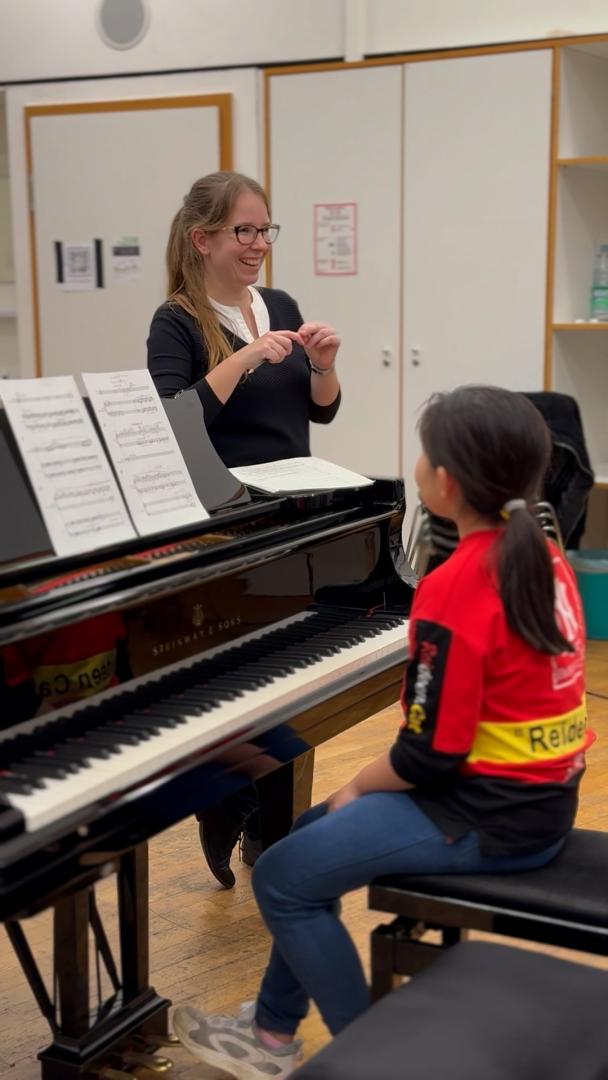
{"points": [[482, 1012]]}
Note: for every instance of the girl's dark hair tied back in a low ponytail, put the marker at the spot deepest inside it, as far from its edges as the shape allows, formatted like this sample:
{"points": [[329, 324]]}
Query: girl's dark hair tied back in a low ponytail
{"points": [[497, 445]]}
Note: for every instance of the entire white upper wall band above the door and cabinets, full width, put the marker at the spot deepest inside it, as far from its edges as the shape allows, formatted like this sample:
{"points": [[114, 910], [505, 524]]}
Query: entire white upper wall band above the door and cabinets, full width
{"points": [[58, 39]]}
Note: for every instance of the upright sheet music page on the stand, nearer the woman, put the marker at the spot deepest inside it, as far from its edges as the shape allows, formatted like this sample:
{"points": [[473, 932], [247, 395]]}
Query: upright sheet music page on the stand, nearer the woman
{"points": [[144, 451]]}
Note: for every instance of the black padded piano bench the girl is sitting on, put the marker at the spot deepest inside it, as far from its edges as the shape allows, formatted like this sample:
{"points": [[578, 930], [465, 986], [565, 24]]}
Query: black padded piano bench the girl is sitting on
{"points": [[564, 903]]}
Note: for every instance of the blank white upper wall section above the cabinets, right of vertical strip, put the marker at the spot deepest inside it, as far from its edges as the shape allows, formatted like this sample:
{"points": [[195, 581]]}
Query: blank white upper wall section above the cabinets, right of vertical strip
{"points": [[410, 25]]}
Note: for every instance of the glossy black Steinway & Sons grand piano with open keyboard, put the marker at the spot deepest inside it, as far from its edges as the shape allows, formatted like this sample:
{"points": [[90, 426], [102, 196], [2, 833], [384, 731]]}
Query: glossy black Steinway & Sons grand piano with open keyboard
{"points": [[142, 684]]}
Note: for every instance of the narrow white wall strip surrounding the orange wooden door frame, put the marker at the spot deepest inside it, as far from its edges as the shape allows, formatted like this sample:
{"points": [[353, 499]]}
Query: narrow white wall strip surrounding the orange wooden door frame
{"points": [[245, 87]]}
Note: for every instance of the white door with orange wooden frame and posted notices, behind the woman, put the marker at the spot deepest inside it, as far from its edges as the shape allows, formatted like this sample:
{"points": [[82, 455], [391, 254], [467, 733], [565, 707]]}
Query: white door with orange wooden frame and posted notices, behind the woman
{"points": [[113, 171]]}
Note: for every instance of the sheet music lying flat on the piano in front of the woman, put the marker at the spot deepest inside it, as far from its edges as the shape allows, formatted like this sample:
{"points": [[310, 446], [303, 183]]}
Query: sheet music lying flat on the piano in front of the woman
{"points": [[299, 475]]}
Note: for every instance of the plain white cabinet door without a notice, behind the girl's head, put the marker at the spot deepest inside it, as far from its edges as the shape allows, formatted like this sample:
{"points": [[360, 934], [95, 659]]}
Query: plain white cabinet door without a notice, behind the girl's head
{"points": [[477, 190]]}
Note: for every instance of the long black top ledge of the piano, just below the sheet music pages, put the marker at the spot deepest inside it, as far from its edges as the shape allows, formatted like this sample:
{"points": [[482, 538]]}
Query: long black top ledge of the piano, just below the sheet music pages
{"points": [[46, 591]]}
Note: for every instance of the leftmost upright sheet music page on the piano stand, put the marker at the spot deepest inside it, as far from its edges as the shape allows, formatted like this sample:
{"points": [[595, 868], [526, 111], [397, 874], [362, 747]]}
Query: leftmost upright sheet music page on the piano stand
{"points": [[77, 493]]}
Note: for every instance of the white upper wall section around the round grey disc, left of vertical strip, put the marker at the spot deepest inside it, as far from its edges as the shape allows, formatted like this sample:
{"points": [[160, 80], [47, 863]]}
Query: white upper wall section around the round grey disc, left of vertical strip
{"points": [[56, 39]]}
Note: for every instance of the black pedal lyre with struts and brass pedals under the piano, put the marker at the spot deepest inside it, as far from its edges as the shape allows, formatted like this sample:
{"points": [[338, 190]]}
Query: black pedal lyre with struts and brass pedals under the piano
{"points": [[89, 1035]]}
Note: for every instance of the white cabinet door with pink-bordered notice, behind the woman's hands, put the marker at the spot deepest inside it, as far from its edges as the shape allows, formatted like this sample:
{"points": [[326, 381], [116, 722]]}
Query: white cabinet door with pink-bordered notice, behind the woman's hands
{"points": [[336, 138]]}
